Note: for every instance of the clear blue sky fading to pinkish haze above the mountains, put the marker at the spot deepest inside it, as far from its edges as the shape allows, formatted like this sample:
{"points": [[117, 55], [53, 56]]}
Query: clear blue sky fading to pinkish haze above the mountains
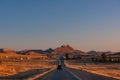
{"points": [[41, 24]]}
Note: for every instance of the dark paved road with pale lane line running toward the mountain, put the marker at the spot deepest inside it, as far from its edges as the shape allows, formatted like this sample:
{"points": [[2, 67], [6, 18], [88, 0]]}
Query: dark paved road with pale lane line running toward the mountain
{"points": [[72, 74]]}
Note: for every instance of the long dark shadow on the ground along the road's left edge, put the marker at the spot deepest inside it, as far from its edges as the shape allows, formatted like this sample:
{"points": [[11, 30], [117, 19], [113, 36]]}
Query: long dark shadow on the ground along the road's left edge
{"points": [[23, 75]]}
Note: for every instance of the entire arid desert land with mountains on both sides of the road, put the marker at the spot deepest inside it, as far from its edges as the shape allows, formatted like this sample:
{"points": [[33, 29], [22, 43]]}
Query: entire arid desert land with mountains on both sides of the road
{"points": [[23, 64]]}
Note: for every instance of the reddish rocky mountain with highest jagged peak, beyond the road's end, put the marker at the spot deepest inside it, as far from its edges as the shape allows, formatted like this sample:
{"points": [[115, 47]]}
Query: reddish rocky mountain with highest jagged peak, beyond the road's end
{"points": [[67, 49]]}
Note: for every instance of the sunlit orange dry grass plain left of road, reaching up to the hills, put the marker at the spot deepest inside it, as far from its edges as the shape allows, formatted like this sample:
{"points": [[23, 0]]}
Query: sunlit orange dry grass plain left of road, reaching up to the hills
{"points": [[11, 64]]}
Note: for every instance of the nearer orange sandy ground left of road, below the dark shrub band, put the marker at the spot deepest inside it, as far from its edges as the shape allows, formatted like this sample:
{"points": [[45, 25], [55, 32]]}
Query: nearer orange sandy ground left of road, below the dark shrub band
{"points": [[11, 68]]}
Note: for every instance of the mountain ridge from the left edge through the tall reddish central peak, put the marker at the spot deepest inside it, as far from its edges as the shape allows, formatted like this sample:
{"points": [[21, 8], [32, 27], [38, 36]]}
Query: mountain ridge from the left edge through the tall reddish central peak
{"points": [[59, 50]]}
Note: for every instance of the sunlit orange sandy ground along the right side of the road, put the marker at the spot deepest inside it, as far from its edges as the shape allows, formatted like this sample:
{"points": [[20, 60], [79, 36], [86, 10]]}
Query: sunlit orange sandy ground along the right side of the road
{"points": [[110, 70]]}
